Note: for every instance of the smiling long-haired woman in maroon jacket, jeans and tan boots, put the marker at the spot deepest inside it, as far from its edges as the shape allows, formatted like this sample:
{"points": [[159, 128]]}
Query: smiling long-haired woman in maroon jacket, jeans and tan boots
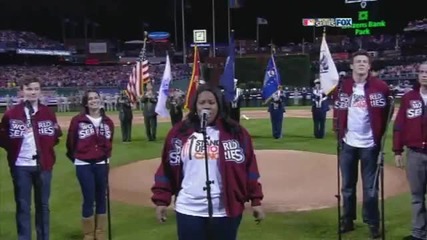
{"points": [[89, 146]]}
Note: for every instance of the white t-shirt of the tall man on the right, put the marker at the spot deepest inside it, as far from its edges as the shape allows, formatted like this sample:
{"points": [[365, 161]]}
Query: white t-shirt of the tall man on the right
{"points": [[359, 130]]}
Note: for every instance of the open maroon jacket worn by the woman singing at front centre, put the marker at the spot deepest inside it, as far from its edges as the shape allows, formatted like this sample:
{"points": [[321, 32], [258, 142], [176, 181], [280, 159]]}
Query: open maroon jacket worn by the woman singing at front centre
{"points": [[240, 178]]}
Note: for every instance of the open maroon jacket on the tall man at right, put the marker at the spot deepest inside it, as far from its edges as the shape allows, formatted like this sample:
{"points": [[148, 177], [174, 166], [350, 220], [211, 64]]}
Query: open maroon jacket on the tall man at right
{"points": [[377, 95]]}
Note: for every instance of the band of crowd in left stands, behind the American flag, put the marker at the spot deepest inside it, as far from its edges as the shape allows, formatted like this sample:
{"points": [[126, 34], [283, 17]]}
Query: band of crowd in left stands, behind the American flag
{"points": [[82, 76]]}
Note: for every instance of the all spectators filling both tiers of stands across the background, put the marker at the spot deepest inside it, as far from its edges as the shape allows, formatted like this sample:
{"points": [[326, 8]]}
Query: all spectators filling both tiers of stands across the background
{"points": [[64, 76]]}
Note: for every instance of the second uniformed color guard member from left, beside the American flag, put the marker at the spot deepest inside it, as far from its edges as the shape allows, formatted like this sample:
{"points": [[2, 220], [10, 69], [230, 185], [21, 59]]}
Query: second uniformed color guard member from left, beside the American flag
{"points": [[150, 116]]}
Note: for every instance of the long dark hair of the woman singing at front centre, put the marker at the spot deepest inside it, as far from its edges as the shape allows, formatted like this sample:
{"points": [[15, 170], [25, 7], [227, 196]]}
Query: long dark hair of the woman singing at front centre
{"points": [[193, 120]]}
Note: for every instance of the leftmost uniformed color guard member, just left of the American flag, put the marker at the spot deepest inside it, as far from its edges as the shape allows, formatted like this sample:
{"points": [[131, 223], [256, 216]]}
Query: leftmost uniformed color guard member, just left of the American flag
{"points": [[126, 116]]}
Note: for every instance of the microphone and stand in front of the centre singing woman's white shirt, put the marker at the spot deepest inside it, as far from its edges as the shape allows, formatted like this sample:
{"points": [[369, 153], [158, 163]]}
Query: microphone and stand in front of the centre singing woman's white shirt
{"points": [[207, 188]]}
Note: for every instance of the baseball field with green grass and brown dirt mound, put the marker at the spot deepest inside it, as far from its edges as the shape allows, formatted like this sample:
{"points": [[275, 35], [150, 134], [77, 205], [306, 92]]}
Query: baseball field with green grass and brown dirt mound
{"points": [[298, 174]]}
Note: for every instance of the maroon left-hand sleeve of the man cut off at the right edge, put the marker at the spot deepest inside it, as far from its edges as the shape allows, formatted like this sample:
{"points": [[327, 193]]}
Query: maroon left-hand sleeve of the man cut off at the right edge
{"points": [[399, 123]]}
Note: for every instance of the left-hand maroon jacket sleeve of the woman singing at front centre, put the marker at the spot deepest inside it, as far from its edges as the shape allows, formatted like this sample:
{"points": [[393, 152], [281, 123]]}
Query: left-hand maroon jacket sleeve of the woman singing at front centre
{"points": [[164, 177]]}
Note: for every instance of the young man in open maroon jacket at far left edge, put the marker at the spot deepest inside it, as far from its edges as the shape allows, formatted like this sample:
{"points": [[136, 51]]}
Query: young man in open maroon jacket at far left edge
{"points": [[28, 133]]}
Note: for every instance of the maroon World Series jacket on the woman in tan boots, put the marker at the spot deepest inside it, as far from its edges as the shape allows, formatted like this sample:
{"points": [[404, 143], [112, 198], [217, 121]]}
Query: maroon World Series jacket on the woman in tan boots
{"points": [[83, 141]]}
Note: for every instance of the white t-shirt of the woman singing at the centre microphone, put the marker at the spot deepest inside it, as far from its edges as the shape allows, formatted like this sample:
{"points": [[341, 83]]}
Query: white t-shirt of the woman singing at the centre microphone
{"points": [[192, 198]]}
